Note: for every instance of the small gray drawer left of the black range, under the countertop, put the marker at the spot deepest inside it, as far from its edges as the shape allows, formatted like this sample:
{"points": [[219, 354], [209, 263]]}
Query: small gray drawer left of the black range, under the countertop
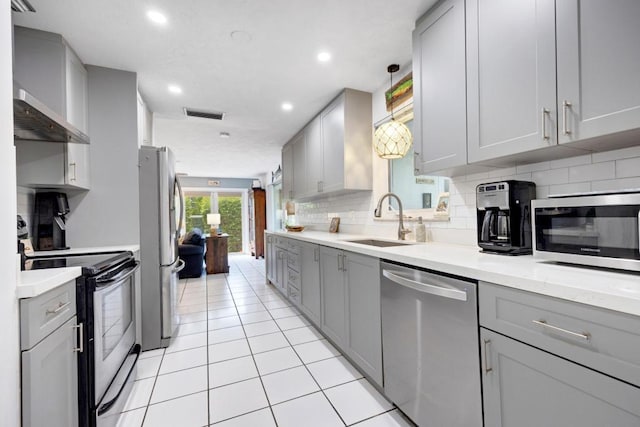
{"points": [[41, 315]]}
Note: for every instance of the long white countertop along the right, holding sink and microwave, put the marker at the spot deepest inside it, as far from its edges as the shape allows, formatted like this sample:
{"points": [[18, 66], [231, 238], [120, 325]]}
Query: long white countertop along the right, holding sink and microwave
{"points": [[619, 291]]}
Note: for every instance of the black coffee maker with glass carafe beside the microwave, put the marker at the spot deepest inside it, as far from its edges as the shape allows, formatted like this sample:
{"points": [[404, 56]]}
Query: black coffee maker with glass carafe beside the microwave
{"points": [[504, 216]]}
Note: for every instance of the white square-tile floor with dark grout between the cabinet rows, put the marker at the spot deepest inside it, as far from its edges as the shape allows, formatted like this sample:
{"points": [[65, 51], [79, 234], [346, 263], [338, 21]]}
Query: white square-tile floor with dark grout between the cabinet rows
{"points": [[244, 357]]}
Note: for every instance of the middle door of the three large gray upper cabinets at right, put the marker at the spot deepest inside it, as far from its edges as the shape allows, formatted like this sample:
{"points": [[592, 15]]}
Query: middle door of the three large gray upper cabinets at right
{"points": [[511, 84]]}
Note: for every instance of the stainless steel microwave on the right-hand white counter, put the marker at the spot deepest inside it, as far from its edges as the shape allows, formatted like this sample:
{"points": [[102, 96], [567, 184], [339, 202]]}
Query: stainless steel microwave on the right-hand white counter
{"points": [[597, 229]]}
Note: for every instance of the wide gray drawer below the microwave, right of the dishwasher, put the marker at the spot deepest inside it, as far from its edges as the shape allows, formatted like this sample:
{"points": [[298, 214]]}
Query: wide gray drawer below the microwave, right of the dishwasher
{"points": [[604, 340]]}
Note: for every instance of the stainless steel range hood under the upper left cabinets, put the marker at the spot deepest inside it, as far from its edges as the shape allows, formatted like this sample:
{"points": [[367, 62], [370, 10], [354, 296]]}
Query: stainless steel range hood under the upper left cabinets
{"points": [[34, 121]]}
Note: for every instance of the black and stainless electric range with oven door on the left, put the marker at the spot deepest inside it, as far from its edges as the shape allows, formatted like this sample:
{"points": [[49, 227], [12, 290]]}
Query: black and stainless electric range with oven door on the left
{"points": [[105, 303]]}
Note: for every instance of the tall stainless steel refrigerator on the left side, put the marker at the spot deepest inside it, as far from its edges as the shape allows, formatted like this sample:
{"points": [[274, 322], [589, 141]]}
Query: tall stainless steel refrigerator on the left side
{"points": [[161, 210]]}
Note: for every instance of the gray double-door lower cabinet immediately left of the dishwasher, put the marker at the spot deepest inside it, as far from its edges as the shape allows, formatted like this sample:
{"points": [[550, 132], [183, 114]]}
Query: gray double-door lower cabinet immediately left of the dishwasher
{"points": [[350, 286]]}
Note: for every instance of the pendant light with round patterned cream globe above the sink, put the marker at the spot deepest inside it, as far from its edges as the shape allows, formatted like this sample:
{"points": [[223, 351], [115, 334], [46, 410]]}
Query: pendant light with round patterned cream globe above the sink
{"points": [[392, 140]]}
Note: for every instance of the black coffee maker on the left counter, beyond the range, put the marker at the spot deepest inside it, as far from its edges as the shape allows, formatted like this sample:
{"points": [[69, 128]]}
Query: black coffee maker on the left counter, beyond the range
{"points": [[49, 229]]}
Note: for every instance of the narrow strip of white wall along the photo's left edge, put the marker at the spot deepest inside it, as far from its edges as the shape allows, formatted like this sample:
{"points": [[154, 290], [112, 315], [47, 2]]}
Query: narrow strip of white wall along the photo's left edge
{"points": [[9, 337]]}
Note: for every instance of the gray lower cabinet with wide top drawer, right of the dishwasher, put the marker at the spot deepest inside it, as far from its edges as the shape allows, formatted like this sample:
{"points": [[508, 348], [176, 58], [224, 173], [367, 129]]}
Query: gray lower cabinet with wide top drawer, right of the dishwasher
{"points": [[551, 362]]}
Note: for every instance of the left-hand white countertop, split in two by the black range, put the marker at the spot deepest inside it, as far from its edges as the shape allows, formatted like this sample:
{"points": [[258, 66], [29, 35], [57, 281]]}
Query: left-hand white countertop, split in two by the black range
{"points": [[36, 282]]}
